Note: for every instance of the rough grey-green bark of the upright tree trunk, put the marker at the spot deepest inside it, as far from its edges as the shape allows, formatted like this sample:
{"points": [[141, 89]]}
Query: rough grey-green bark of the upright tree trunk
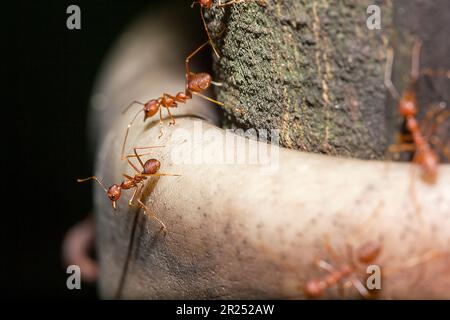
{"points": [[313, 70]]}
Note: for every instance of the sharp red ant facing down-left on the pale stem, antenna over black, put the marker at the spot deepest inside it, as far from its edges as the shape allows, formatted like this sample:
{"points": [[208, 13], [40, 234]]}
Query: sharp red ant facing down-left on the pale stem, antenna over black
{"points": [[149, 168]]}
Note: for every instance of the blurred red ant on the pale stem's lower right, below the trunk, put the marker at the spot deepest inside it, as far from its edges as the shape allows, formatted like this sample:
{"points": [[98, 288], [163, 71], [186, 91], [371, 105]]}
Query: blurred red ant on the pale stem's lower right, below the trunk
{"points": [[365, 254]]}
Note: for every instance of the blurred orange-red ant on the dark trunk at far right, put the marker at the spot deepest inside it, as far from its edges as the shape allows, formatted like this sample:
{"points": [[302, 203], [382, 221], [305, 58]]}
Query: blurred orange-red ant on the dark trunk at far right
{"points": [[424, 155]]}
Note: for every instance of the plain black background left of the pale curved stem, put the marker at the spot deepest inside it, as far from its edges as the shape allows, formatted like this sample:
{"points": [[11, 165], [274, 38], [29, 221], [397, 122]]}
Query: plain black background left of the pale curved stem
{"points": [[47, 145]]}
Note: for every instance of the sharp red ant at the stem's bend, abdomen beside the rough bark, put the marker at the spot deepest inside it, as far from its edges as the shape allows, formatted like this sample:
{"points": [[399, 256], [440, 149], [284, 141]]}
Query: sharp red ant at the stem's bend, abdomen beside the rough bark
{"points": [[195, 84]]}
